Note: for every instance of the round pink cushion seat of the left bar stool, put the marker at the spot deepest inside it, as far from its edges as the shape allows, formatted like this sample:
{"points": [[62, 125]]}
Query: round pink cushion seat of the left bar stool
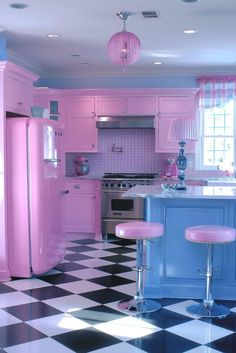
{"points": [[139, 230]]}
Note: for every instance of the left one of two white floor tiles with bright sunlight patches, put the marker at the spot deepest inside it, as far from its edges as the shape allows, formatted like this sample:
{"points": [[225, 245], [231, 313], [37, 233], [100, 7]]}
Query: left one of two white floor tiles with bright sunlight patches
{"points": [[57, 324]]}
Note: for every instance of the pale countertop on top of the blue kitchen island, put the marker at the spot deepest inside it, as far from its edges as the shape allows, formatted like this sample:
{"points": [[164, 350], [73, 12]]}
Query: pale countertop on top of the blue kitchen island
{"points": [[192, 192]]}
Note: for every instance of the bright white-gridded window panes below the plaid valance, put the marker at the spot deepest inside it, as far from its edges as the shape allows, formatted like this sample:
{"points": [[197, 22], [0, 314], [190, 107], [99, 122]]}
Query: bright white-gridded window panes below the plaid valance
{"points": [[217, 141]]}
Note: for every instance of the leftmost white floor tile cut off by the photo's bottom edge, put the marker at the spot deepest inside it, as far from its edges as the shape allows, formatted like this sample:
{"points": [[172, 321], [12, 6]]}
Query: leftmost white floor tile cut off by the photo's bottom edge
{"points": [[45, 345]]}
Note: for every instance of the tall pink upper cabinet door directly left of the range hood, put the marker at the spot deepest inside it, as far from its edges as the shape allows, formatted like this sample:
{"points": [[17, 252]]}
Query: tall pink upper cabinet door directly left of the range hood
{"points": [[81, 125]]}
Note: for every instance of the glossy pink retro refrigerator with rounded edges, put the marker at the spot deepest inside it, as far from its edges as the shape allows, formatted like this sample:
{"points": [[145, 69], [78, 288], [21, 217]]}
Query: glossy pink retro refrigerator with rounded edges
{"points": [[34, 195]]}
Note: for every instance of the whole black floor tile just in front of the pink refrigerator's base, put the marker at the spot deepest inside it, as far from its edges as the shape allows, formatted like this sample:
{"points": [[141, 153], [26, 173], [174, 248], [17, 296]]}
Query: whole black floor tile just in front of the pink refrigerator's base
{"points": [[46, 292]]}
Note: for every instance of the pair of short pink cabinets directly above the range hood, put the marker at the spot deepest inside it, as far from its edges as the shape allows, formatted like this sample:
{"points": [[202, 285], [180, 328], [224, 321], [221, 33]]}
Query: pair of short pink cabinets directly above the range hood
{"points": [[130, 105]]}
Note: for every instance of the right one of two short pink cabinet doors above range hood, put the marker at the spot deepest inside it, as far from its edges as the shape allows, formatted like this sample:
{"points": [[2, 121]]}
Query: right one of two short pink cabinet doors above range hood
{"points": [[141, 105]]}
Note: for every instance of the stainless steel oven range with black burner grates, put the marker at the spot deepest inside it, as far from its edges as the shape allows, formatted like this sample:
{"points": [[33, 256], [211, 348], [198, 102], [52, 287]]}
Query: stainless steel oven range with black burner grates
{"points": [[116, 208]]}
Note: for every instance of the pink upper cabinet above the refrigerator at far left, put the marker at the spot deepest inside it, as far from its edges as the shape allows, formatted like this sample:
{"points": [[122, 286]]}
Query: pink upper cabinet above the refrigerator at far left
{"points": [[18, 85]]}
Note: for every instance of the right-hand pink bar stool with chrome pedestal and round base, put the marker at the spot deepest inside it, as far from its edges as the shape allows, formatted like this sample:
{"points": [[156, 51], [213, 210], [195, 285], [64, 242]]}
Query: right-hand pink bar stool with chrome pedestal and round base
{"points": [[209, 234]]}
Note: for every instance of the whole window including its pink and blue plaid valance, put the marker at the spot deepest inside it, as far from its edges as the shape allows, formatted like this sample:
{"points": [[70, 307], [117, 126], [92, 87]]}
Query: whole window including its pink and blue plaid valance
{"points": [[217, 127]]}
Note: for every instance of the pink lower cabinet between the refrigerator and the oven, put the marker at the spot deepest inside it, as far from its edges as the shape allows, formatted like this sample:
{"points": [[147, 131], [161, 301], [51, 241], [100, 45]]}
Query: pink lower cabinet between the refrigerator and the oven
{"points": [[82, 207]]}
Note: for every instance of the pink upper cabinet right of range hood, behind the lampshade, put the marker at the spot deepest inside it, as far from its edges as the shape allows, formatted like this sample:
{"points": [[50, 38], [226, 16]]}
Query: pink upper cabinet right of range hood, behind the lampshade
{"points": [[172, 107]]}
